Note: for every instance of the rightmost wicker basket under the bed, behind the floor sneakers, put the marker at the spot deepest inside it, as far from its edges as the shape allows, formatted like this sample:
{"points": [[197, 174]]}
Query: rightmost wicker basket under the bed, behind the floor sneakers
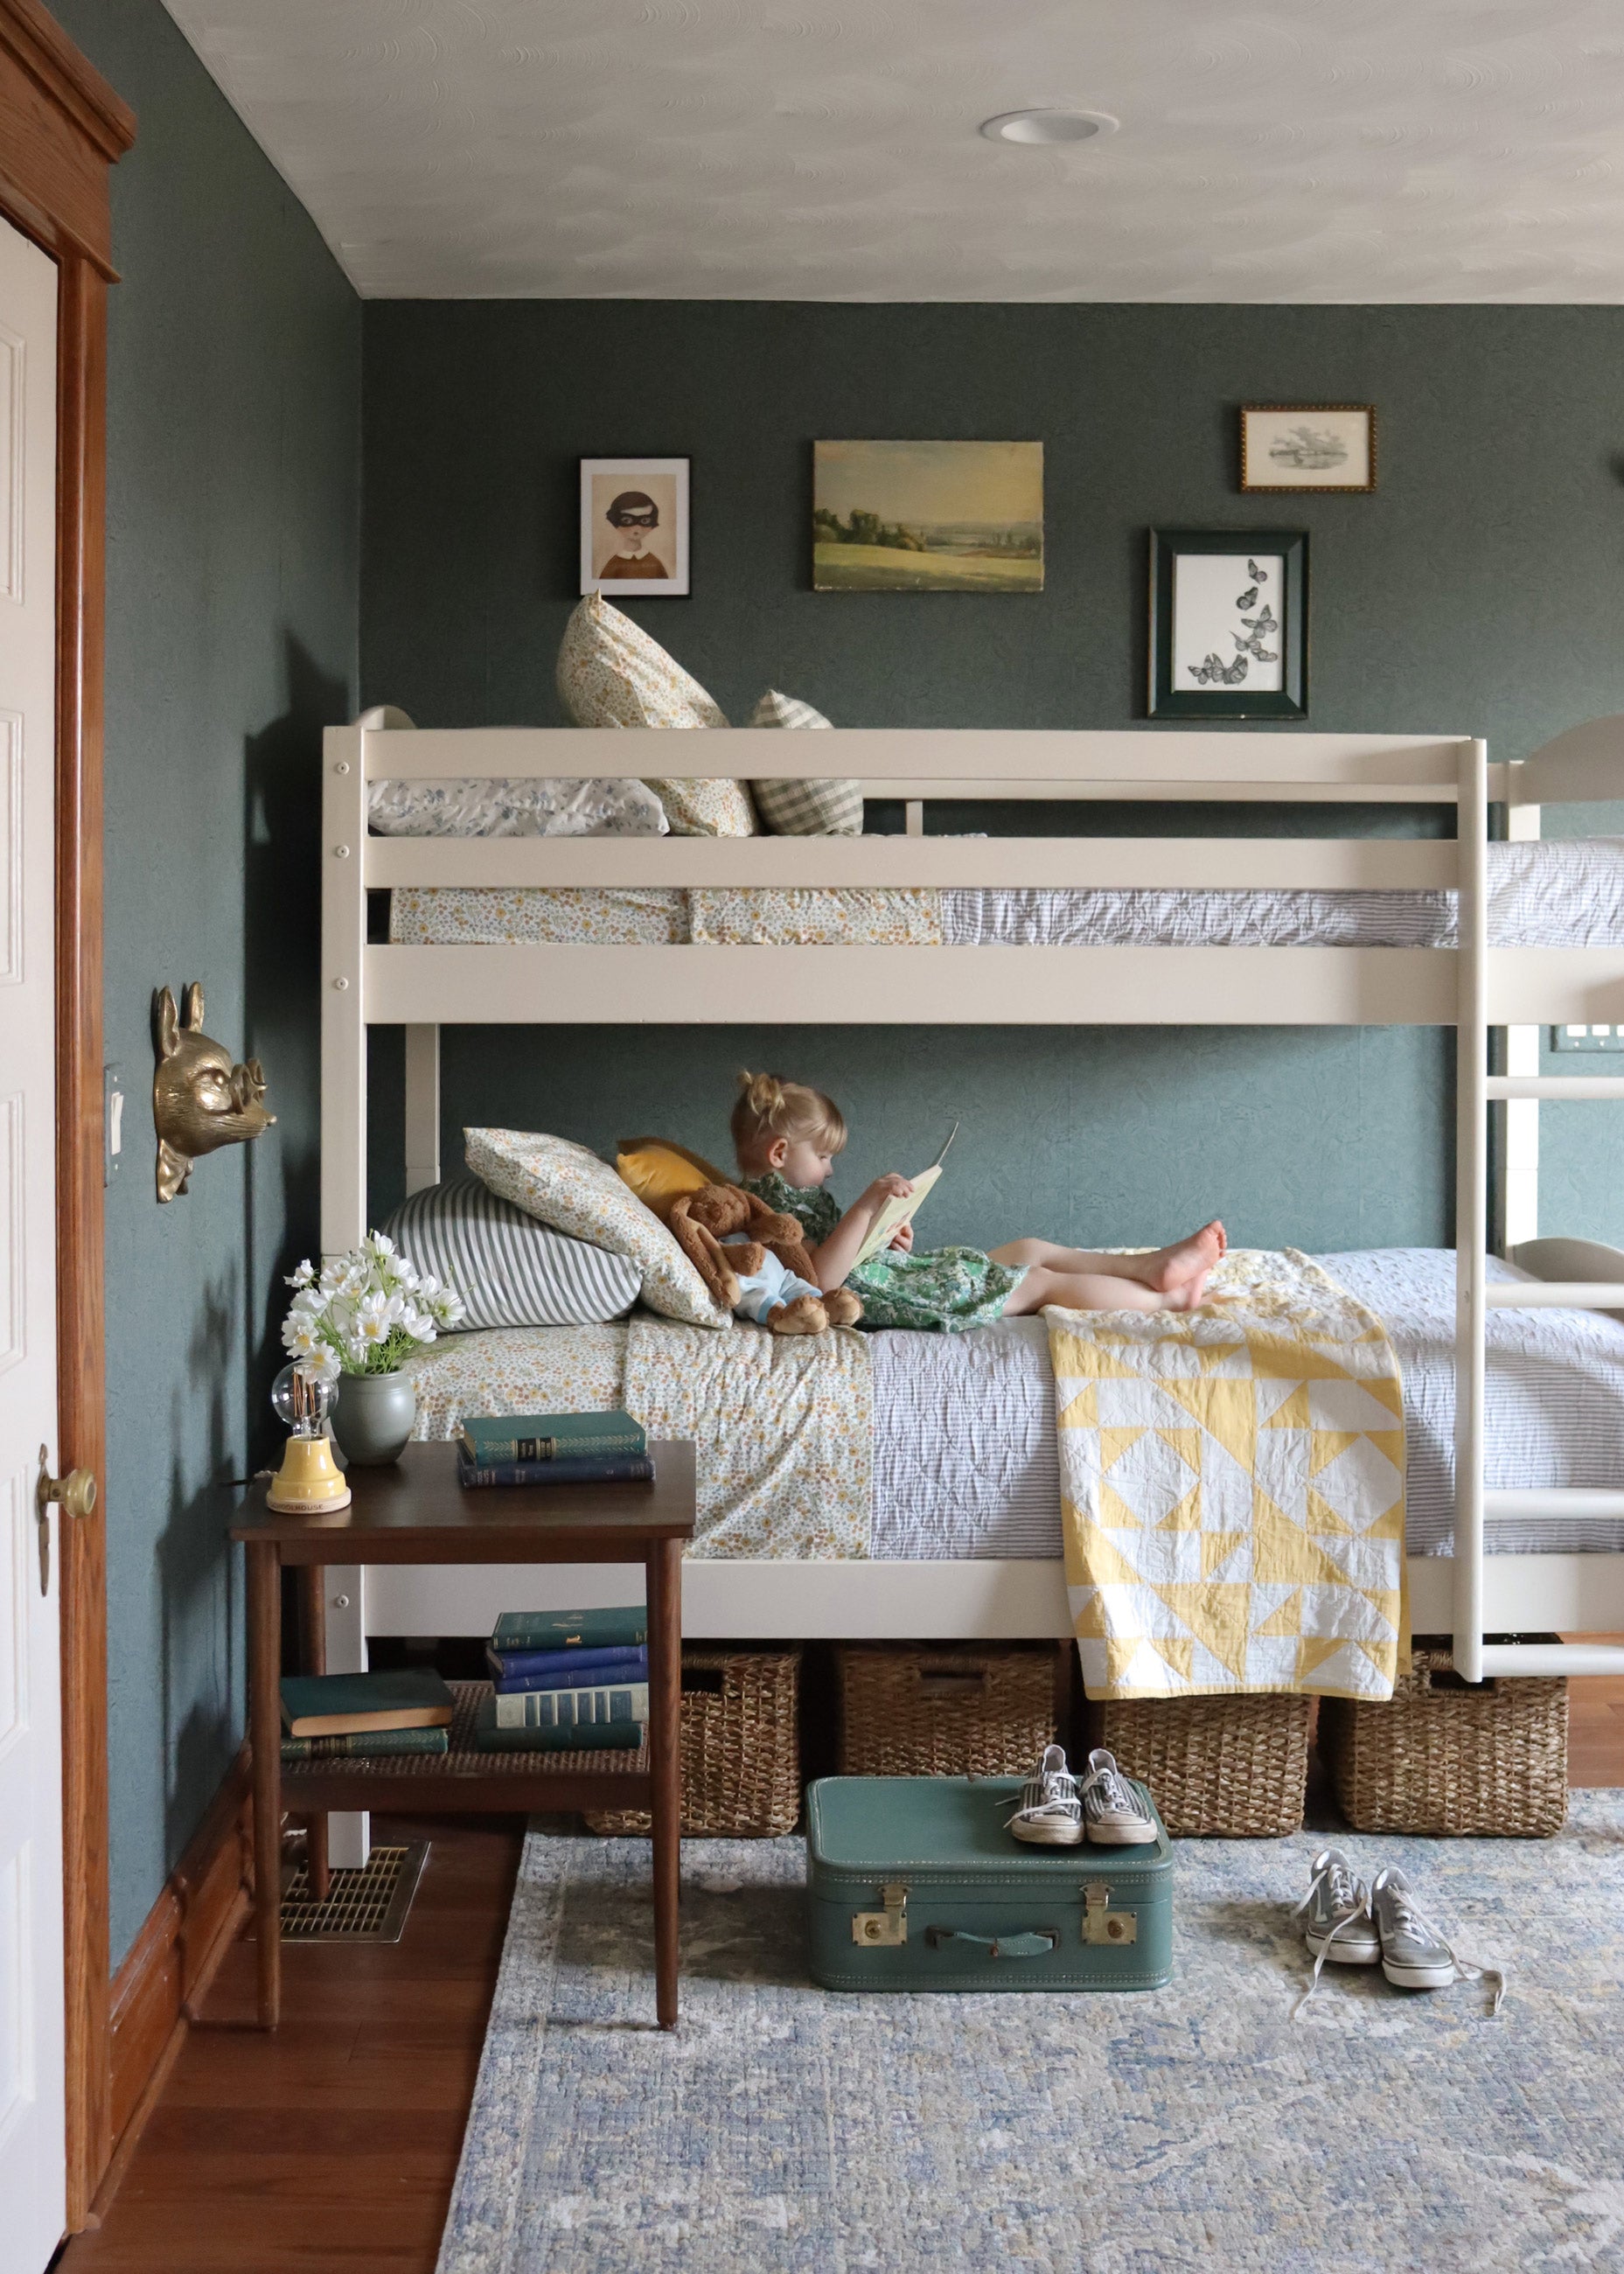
{"points": [[1445, 1759]]}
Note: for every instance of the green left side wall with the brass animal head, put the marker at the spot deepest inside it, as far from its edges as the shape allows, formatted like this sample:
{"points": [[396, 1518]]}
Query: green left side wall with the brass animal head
{"points": [[231, 642]]}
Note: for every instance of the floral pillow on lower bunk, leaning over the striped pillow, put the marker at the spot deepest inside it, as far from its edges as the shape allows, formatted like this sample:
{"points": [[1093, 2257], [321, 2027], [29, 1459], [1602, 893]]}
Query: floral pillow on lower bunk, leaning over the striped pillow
{"points": [[570, 1188]]}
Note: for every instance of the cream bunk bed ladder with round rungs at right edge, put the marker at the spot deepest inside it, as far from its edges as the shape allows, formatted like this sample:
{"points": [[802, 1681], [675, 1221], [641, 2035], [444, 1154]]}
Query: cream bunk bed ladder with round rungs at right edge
{"points": [[1475, 1297]]}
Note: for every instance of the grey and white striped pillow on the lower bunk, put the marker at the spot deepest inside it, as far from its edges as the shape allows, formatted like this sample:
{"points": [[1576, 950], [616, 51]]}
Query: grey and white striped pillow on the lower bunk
{"points": [[508, 1268]]}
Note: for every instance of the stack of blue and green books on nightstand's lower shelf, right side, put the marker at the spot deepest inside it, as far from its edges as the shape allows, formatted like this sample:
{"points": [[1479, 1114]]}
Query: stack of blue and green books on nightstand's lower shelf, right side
{"points": [[567, 1682]]}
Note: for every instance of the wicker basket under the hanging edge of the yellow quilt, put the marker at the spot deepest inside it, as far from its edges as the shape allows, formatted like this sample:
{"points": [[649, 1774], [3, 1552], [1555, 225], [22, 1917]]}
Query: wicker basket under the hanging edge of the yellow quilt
{"points": [[1232, 1768]]}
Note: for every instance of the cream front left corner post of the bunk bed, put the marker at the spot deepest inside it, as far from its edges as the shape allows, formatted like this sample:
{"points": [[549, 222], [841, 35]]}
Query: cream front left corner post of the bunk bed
{"points": [[345, 1131]]}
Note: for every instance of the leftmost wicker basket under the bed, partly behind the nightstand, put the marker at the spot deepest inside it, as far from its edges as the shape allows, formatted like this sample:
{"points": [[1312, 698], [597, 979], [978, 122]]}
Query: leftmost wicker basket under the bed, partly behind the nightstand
{"points": [[740, 1750]]}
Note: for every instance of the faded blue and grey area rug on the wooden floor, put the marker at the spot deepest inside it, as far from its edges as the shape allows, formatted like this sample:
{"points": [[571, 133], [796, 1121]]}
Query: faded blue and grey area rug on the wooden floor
{"points": [[786, 2127]]}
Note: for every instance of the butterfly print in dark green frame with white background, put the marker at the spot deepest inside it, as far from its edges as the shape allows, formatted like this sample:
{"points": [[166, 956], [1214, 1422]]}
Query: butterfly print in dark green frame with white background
{"points": [[1229, 624]]}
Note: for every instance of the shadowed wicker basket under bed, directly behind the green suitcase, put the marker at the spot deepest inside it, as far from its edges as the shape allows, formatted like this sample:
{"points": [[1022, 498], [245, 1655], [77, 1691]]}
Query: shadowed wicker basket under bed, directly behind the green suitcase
{"points": [[947, 1711]]}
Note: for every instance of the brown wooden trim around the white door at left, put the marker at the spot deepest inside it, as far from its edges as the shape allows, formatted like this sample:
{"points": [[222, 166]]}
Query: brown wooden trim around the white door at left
{"points": [[60, 131]]}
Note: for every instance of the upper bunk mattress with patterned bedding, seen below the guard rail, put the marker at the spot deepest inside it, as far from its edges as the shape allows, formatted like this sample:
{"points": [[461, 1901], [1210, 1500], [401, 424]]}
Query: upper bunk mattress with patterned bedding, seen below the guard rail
{"points": [[1543, 895]]}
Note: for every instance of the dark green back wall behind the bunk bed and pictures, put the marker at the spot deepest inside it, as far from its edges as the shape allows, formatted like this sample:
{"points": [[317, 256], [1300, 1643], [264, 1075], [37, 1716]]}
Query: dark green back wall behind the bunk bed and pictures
{"points": [[1475, 592]]}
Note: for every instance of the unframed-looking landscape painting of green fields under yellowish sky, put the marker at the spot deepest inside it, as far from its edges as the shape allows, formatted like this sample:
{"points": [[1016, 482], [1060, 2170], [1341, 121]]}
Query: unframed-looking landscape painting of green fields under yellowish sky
{"points": [[927, 517]]}
